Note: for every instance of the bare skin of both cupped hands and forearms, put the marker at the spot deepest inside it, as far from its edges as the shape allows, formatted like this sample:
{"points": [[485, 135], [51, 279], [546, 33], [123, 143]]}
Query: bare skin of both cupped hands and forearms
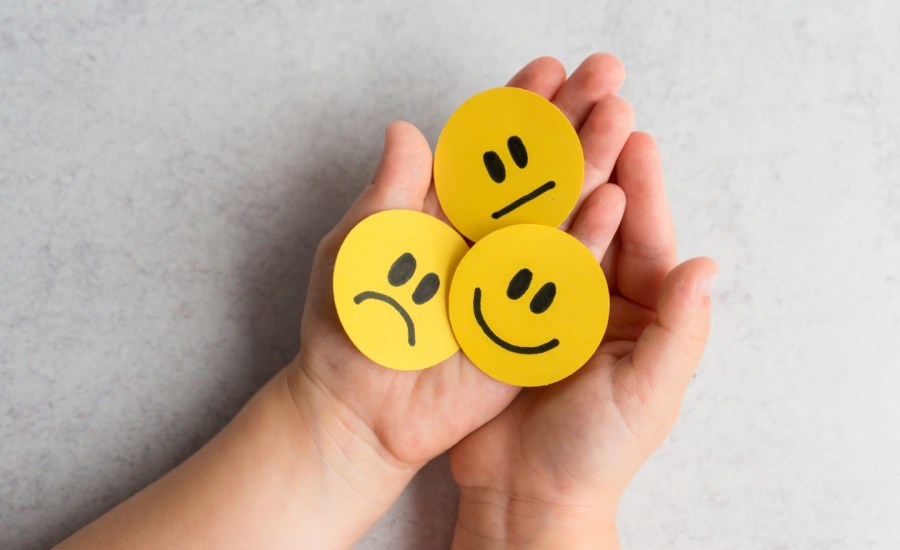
{"points": [[325, 448]]}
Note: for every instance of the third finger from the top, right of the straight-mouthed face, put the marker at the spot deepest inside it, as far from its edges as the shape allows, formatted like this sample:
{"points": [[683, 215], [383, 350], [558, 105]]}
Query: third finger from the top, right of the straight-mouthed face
{"points": [[603, 135]]}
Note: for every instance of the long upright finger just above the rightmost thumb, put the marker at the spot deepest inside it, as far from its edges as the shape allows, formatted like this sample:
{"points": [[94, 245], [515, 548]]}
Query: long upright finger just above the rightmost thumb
{"points": [[647, 238]]}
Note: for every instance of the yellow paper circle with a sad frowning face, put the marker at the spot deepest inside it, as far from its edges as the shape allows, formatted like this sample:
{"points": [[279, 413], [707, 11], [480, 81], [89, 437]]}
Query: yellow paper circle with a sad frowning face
{"points": [[391, 281]]}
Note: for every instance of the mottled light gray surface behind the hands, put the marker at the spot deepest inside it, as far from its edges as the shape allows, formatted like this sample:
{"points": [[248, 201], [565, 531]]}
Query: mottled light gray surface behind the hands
{"points": [[166, 171]]}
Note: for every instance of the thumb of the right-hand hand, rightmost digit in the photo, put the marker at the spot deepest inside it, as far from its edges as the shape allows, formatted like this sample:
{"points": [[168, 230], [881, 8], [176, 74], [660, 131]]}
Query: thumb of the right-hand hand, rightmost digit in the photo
{"points": [[666, 355]]}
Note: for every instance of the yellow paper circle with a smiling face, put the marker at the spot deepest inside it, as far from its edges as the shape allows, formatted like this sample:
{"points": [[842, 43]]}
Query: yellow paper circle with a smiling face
{"points": [[529, 305]]}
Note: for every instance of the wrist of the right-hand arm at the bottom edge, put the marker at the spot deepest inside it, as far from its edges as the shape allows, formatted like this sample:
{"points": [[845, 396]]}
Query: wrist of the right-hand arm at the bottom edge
{"points": [[488, 518]]}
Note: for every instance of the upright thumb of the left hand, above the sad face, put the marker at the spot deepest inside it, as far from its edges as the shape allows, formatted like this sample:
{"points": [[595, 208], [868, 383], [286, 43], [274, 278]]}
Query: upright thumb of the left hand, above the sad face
{"points": [[401, 180]]}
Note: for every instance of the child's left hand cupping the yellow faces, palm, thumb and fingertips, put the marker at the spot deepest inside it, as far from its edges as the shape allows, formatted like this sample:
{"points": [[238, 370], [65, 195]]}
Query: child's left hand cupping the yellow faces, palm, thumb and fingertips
{"points": [[406, 418]]}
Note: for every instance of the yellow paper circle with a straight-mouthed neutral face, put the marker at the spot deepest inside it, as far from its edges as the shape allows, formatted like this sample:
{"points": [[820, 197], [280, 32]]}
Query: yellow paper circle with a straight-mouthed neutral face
{"points": [[507, 156]]}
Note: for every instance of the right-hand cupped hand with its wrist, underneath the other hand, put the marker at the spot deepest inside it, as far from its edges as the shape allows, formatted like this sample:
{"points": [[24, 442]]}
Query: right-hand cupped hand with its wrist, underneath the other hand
{"points": [[549, 470]]}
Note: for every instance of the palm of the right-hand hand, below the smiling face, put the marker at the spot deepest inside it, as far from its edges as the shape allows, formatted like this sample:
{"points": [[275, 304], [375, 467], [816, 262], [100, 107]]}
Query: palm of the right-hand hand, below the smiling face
{"points": [[586, 433]]}
